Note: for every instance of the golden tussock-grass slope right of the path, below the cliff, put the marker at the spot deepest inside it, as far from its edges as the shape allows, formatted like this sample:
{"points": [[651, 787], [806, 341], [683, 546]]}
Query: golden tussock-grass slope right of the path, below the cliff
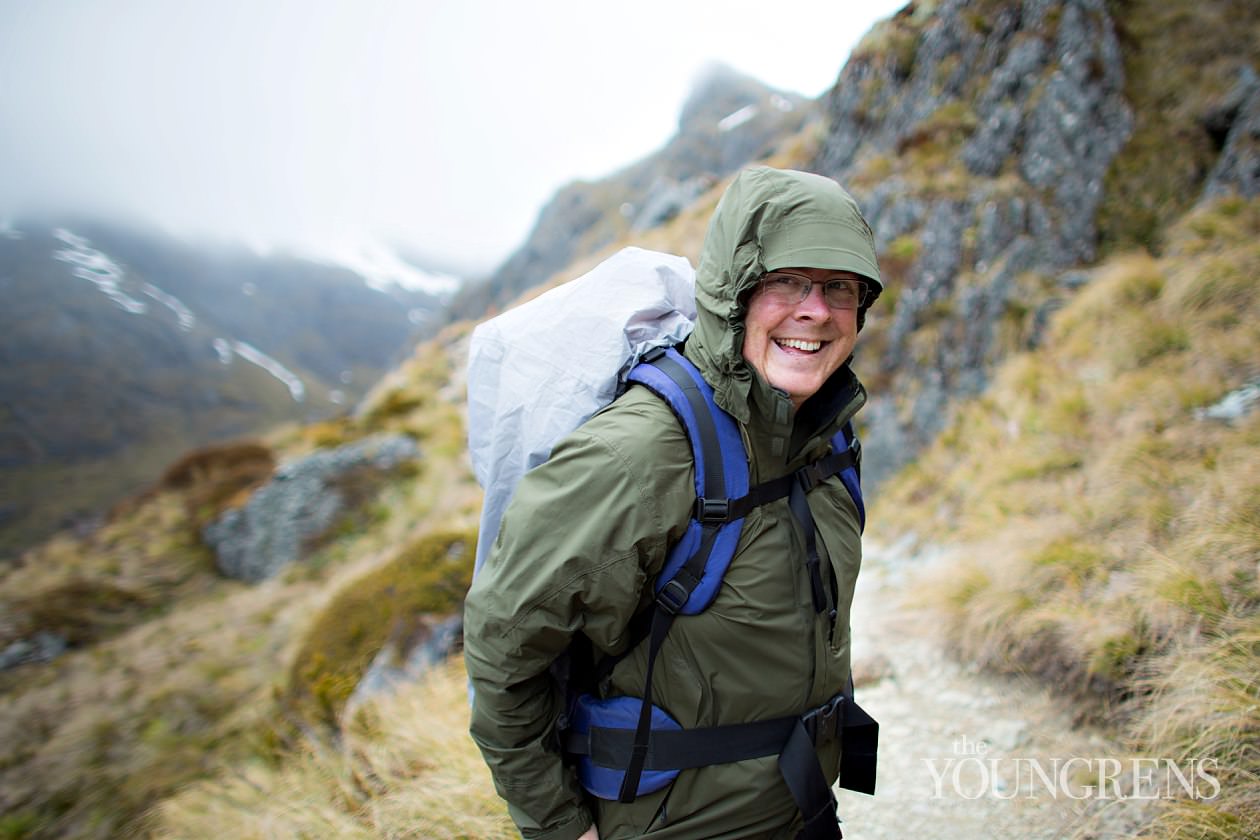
{"points": [[1109, 523]]}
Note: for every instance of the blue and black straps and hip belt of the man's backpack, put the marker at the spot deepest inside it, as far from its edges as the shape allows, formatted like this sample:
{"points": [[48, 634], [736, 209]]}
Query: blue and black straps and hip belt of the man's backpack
{"points": [[626, 746]]}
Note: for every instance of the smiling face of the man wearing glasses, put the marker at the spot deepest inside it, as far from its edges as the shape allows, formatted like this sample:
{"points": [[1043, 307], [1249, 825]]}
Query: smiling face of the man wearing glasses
{"points": [[798, 347]]}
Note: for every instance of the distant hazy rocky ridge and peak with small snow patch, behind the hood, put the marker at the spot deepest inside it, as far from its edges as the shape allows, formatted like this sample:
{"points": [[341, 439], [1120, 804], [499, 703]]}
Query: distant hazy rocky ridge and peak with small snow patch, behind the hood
{"points": [[729, 122]]}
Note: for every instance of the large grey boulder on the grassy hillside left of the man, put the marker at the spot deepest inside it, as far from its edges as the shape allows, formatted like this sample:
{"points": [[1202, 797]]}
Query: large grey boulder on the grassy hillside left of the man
{"points": [[299, 506]]}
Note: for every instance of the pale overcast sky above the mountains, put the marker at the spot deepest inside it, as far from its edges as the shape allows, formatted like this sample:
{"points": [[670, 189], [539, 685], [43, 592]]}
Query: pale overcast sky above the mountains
{"points": [[444, 125]]}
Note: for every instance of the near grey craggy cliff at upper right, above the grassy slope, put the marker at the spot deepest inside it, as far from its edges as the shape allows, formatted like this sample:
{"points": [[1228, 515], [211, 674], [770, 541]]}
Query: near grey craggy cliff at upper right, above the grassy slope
{"points": [[983, 142]]}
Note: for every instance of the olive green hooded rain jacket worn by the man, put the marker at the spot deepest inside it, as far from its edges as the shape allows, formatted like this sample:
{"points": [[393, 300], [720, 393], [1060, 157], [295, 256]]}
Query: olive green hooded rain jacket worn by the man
{"points": [[588, 531]]}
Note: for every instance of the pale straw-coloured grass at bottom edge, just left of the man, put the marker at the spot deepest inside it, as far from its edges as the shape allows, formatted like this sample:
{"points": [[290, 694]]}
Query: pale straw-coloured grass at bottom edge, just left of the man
{"points": [[405, 769]]}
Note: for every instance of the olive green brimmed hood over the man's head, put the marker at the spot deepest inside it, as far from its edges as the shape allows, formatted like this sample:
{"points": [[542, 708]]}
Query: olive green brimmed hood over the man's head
{"points": [[768, 220]]}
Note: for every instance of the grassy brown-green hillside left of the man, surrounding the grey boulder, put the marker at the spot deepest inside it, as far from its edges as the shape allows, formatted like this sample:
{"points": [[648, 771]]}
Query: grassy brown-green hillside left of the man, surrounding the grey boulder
{"points": [[176, 674]]}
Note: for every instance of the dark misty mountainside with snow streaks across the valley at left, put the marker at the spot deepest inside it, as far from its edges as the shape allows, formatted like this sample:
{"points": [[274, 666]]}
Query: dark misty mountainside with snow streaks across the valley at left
{"points": [[123, 351]]}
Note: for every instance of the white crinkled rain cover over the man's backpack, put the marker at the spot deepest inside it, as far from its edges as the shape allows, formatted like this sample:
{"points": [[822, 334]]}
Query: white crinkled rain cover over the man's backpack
{"points": [[540, 371]]}
